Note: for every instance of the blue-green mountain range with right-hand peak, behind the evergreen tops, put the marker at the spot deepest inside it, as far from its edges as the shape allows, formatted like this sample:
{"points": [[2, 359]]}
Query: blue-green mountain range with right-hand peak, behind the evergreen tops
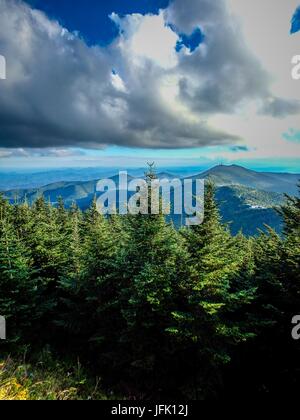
{"points": [[247, 199]]}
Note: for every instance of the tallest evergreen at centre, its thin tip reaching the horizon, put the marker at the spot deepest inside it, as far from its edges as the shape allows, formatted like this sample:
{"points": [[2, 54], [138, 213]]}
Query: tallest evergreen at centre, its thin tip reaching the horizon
{"points": [[150, 267]]}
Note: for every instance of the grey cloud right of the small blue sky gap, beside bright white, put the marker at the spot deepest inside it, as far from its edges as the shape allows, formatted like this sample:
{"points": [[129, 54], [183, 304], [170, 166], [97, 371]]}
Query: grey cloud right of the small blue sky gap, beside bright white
{"points": [[223, 74]]}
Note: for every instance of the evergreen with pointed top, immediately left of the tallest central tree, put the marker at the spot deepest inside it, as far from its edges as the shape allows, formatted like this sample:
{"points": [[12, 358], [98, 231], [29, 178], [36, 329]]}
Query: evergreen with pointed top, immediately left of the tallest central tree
{"points": [[94, 317]]}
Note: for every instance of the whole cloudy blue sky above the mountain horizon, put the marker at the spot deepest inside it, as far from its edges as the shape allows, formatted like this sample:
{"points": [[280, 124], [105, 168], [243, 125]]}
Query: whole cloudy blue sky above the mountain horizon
{"points": [[180, 82]]}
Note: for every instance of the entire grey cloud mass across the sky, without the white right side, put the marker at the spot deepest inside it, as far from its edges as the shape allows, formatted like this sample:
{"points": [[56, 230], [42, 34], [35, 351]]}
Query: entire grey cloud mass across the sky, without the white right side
{"points": [[140, 91]]}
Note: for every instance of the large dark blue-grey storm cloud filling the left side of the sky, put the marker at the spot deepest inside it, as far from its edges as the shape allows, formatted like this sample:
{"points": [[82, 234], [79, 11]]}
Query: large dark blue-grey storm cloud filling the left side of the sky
{"points": [[59, 93]]}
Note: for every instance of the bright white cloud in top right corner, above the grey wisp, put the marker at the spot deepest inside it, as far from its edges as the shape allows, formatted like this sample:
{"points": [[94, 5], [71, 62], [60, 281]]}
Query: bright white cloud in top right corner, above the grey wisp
{"points": [[266, 25]]}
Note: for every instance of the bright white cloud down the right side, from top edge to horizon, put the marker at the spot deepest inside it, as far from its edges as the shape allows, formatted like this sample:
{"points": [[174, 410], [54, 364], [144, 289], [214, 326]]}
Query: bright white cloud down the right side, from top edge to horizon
{"points": [[266, 27]]}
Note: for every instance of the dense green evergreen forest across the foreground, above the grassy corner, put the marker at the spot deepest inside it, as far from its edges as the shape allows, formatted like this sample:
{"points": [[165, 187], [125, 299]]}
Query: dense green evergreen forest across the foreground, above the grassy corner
{"points": [[153, 311]]}
